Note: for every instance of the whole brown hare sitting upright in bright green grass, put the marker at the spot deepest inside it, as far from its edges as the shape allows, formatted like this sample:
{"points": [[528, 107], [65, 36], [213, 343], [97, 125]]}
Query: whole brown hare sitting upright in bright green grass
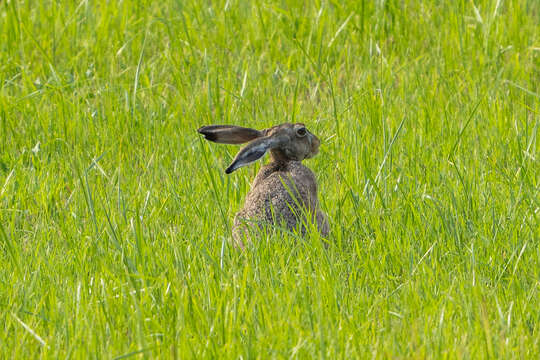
{"points": [[284, 191]]}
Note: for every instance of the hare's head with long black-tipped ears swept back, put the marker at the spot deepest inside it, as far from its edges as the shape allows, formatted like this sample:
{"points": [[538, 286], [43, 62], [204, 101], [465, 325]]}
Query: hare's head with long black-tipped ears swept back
{"points": [[286, 142]]}
